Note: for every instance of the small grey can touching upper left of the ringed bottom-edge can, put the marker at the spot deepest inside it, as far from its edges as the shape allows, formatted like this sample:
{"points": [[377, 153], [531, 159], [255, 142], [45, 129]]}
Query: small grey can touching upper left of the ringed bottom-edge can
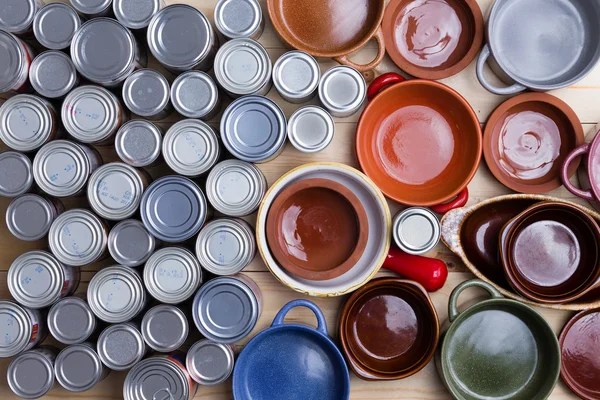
{"points": [[121, 346]]}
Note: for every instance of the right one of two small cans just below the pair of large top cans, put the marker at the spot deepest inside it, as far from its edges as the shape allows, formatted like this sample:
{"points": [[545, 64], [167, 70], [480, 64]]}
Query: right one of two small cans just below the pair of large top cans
{"points": [[195, 95]]}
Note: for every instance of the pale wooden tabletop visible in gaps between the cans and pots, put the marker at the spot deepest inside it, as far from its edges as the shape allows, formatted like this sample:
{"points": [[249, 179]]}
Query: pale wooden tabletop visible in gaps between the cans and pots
{"points": [[424, 385]]}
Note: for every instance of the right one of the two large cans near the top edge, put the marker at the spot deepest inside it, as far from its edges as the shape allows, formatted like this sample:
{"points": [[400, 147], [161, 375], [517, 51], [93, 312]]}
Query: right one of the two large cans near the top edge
{"points": [[181, 38]]}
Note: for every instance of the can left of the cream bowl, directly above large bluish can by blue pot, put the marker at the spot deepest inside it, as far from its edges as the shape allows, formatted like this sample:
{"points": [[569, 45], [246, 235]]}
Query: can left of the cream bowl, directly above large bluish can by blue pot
{"points": [[226, 246]]}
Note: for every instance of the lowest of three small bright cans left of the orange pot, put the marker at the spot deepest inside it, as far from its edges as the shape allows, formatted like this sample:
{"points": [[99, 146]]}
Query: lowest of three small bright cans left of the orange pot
{"points": [[311, 129]]}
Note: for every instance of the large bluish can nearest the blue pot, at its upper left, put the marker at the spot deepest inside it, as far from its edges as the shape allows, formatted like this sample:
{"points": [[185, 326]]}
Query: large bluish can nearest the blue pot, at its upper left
{"points": [[225, 310]]}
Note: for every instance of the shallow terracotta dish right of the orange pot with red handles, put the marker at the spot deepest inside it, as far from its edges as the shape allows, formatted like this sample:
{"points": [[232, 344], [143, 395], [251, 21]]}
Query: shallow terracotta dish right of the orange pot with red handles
{"points": [[527, 139]]}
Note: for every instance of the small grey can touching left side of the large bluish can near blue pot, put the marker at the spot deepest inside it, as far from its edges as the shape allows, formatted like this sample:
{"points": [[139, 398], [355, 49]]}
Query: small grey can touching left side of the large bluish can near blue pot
{"points": [[165, 328]]}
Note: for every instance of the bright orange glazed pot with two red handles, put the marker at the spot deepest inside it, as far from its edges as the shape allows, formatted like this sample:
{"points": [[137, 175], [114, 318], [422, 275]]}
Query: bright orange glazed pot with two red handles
{"points": [[419, 141]]}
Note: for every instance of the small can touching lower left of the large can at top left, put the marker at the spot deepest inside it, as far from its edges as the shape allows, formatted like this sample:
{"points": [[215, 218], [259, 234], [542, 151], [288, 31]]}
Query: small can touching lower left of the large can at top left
{"points": [[52, 73]]}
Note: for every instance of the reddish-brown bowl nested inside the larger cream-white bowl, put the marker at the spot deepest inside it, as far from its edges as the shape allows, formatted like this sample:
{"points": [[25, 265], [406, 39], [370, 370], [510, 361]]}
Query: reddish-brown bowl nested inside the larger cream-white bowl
{"points": [[317, 229]]}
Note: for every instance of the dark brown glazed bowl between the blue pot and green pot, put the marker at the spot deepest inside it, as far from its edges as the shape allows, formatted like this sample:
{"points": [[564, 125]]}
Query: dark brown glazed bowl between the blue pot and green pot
{"points": [[389, 329]]}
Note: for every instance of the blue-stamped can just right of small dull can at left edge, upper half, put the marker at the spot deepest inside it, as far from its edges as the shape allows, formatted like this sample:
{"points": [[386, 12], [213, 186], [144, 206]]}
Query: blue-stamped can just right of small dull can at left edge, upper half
{"points": [[62, 168]]}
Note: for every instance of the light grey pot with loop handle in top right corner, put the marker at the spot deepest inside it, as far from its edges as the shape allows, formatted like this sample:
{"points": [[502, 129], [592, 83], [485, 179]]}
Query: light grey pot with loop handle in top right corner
{"points": [[541, 44]]}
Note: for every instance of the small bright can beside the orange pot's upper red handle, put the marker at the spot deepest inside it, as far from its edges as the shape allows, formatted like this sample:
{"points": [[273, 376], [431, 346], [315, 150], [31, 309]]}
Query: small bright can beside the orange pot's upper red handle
{"points": [[342, 91]]}
